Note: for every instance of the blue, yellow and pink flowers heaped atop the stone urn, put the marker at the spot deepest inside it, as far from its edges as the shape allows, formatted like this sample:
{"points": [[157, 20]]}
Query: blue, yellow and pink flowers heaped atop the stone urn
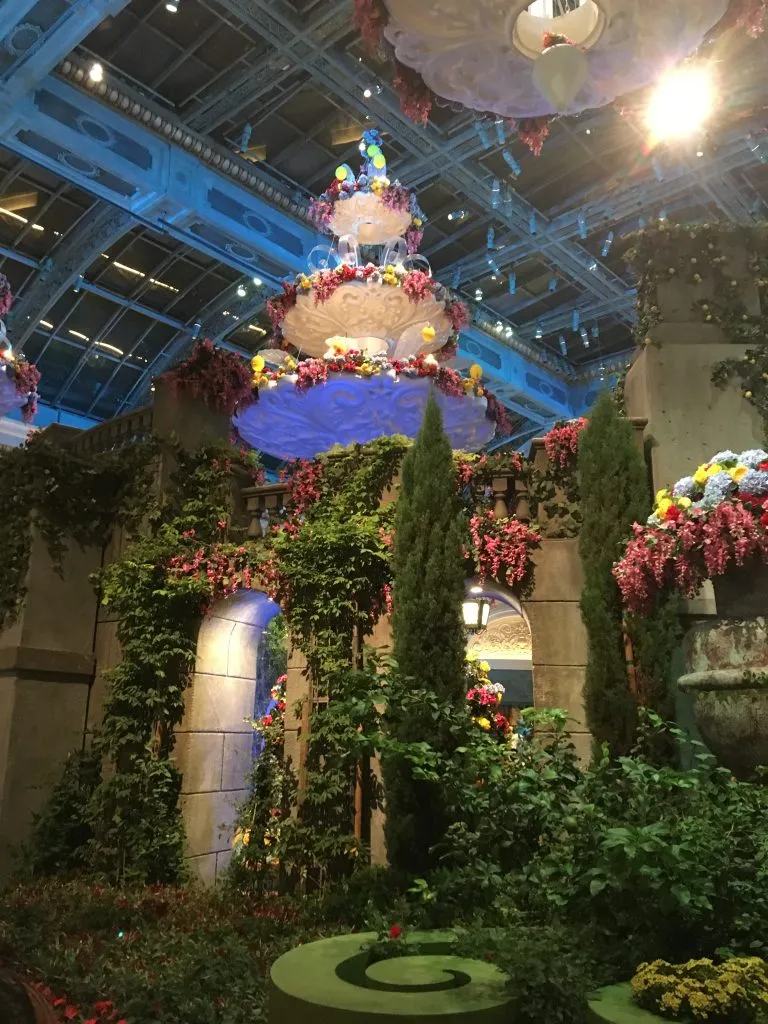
{"points": [[709, 523]]}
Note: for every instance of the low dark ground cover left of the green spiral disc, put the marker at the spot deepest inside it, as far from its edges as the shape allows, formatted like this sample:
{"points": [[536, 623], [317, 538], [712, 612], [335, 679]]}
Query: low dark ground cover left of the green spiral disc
{"points": [[158, 955]]}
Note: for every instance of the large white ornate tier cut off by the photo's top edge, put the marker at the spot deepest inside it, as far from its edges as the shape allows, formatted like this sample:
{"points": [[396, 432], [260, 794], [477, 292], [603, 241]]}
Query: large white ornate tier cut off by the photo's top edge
{"points": [[481, 54]]}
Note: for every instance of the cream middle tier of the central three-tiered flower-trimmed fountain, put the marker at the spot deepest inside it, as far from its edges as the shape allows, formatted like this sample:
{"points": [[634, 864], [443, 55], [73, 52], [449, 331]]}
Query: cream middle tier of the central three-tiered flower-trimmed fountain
{"points": [[361, 313]]}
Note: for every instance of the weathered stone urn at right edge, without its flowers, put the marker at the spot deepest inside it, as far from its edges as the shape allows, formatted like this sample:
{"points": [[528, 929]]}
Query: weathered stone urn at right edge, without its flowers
{"points": [[727, 661]]}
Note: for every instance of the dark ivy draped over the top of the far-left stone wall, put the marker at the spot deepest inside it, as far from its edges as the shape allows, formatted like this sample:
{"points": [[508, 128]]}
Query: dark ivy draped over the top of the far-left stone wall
{"points": [[72, 498]]}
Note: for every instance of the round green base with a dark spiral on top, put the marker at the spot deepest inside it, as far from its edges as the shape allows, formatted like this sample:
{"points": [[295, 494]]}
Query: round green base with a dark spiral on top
{"points": [[334, 983]]}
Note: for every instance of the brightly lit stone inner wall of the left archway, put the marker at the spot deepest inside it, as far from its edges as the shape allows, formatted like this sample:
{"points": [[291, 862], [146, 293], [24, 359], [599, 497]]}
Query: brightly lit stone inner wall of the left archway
{"points": [[215, 743]]}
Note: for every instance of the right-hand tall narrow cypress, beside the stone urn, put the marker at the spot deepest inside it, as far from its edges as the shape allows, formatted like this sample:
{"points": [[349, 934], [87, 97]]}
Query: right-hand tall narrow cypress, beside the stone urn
{"points": [[615, 494]]}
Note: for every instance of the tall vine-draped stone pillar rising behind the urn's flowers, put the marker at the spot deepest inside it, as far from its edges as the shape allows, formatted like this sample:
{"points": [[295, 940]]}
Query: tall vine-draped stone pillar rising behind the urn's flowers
{"points": [[670, 383]]}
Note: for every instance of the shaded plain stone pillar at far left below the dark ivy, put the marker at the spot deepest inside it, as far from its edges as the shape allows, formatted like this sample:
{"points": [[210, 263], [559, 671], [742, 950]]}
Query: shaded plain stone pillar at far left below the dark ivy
{"points": [[47, 671]]}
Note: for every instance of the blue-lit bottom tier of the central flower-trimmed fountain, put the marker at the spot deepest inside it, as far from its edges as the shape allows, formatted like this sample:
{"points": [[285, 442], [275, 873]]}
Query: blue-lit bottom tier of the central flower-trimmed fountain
{"points": [[287, 423]]}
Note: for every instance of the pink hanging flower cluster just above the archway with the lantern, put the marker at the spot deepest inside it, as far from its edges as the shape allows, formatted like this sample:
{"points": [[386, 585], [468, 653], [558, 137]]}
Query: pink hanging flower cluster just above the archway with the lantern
{"points": [[504, 550]]}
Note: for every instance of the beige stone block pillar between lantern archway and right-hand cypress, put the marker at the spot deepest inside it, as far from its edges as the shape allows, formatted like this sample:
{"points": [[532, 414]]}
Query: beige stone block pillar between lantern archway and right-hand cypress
{"points": [[559, 637]]}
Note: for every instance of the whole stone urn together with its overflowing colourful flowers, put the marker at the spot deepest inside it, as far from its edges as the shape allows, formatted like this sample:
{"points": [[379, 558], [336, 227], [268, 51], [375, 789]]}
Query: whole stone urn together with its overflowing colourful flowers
{"points": [[714, 526]]}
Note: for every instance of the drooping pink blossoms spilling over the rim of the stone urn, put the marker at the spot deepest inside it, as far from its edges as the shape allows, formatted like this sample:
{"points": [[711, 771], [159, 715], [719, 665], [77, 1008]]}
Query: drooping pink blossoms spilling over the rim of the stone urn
{"points": [[682, 553]]}
